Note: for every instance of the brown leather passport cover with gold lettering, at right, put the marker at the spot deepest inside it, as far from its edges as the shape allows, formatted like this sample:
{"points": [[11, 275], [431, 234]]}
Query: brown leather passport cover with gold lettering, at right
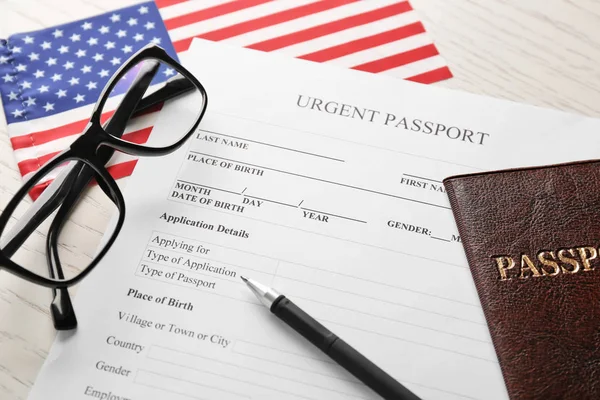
{"points": [[532, 238]]}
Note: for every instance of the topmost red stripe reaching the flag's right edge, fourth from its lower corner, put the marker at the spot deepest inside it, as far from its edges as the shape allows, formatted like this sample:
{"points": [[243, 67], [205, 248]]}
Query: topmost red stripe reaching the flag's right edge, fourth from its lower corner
{"points": [[331, 27]]}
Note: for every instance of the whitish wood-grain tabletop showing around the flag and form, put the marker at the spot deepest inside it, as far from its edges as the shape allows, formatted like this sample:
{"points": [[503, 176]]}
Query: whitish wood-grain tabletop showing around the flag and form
{"points": [[541, 52]]}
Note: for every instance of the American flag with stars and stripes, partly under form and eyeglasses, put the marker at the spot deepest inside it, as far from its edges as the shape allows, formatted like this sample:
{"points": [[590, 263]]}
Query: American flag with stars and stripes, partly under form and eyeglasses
{"points": [[50, 79]]}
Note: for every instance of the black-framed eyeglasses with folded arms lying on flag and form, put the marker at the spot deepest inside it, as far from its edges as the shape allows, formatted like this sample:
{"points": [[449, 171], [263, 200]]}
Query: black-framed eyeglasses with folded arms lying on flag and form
{"points": [[59, 215]]}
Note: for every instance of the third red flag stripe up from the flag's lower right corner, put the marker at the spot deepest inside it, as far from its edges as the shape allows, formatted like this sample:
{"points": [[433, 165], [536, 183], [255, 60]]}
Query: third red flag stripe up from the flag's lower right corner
{"points": [[355, 46]]}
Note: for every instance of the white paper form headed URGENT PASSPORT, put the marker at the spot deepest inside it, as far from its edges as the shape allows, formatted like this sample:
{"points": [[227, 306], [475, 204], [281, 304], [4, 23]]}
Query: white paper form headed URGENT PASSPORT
{"points": [[326, 185]]}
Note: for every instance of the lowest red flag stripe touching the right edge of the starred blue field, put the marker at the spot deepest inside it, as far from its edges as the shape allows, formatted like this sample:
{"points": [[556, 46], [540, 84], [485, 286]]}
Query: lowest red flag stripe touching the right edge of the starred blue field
{"points": [[263, 22]]}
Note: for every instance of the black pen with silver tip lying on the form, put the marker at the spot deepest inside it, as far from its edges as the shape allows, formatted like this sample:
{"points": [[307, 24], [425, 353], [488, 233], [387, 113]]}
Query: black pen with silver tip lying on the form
{"points": [[329, 343]]}
